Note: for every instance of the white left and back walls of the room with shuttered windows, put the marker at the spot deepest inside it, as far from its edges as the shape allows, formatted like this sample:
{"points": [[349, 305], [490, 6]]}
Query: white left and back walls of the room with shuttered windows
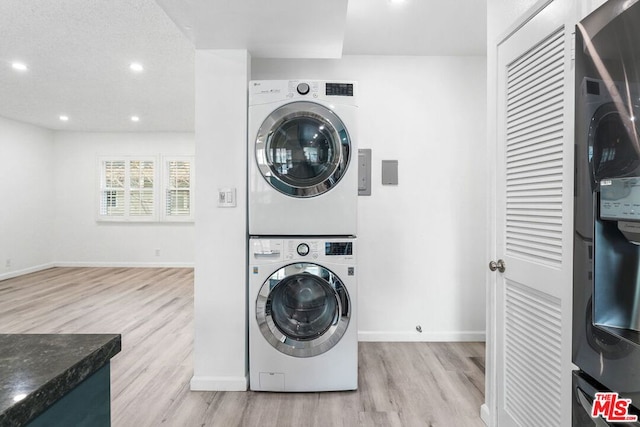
{"points": [[50, 187]]}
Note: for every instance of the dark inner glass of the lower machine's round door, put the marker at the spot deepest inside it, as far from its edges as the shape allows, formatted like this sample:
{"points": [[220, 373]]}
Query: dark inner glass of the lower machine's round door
{"points": [[303, 306]]}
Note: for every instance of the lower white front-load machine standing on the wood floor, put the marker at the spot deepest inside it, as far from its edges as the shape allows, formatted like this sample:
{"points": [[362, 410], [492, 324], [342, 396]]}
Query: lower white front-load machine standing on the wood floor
{"points": [[302, 314]]}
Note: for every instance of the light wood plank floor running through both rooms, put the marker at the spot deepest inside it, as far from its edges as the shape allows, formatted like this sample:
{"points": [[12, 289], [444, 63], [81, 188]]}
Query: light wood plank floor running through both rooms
{"points": [[400, 384]]}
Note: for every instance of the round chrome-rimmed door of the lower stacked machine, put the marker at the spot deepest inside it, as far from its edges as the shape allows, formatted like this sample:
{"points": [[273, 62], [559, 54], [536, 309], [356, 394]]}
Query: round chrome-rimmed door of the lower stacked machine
{"points": [[303, 310]]}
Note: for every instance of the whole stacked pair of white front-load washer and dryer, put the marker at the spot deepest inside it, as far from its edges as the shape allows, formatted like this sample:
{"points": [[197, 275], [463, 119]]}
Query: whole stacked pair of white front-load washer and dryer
{"points": [[302, 227]]}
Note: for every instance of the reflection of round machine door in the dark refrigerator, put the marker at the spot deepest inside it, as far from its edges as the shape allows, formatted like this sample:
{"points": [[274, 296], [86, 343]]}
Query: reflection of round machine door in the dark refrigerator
{"points": [[613, 142]]}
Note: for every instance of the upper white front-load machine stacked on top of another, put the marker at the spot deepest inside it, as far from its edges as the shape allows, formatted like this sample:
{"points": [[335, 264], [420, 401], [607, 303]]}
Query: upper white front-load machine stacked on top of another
{"points": [[302, 158]]}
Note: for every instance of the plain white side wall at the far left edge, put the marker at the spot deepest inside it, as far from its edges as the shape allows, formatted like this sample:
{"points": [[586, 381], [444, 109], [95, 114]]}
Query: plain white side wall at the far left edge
{"points": [[26, 211]]}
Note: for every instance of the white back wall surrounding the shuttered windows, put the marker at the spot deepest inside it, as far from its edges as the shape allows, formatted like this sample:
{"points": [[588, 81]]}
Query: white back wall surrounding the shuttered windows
{"points": [[79, 239]]}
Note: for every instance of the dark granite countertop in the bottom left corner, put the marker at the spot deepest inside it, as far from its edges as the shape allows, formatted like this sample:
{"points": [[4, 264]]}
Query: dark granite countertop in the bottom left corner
{"points": [[40, 369]]}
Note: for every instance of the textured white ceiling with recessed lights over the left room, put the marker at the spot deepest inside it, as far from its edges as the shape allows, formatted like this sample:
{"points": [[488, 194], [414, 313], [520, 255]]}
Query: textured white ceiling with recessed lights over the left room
{"points": [[78, 53]]}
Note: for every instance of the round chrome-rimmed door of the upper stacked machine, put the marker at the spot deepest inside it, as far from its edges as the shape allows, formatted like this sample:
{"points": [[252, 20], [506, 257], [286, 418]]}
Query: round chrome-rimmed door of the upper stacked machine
{"points": [[302, 149]]}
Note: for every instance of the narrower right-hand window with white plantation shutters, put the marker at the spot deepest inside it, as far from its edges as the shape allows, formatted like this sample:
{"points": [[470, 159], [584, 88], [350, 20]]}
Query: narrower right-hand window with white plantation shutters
{"points": [[178, 192]]}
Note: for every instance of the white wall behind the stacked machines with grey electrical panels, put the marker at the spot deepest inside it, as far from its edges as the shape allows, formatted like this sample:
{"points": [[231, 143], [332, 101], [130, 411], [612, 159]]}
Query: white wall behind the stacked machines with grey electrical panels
{"points": [[422, 250]]}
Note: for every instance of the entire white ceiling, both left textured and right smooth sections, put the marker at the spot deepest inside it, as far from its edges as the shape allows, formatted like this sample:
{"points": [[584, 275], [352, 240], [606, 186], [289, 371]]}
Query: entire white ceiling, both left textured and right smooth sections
{"points": [[78, 51]]}
